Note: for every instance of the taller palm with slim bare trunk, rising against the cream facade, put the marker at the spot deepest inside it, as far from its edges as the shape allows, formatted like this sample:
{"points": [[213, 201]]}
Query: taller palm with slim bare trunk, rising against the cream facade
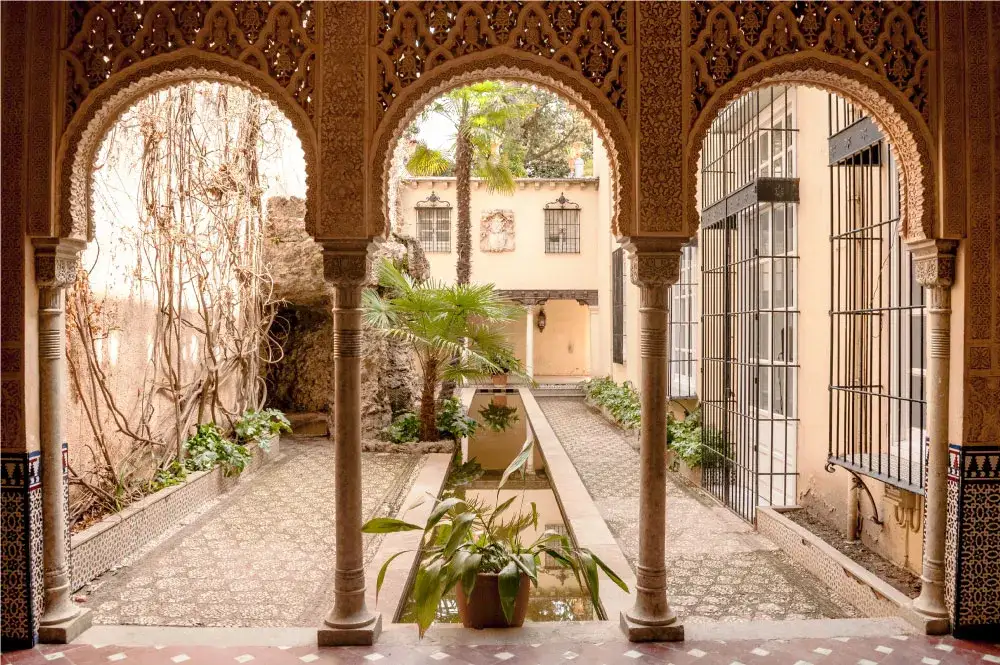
{"points": [[480, 114]]}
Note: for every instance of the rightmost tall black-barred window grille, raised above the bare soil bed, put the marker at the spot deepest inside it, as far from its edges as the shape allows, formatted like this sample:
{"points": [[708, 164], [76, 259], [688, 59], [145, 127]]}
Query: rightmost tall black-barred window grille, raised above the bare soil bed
{"points": [[877, 370]]}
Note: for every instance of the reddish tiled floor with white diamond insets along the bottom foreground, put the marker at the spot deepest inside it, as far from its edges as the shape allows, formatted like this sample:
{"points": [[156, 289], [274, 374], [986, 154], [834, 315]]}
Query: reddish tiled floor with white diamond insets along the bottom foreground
{"points": [[900, 650]]}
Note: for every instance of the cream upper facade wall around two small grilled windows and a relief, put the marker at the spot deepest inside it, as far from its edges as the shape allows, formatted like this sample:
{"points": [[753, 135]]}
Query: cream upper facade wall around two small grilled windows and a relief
{"points": [[528, 266]]}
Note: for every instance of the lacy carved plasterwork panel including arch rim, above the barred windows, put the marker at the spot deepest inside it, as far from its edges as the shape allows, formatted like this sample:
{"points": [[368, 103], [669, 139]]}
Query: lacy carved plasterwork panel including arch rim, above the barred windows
{"points": [[874, 54]]}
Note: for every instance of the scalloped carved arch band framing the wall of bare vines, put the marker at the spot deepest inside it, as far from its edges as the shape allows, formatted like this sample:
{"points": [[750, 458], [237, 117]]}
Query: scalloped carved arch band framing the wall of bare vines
{"points": [[86, 131]]}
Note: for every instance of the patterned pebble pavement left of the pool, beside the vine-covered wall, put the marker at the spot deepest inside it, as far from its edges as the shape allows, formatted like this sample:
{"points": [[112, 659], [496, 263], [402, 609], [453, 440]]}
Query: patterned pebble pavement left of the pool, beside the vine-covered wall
{"points": [[263, 555]]}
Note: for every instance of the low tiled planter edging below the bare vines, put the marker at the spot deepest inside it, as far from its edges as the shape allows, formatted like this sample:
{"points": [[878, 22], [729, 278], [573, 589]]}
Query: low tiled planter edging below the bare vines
{"points": [[115, 538]]}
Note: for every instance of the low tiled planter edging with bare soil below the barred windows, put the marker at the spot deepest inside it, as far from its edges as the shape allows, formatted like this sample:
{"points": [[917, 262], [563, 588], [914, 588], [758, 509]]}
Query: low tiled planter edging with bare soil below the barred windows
{"points": [[866, 591]]}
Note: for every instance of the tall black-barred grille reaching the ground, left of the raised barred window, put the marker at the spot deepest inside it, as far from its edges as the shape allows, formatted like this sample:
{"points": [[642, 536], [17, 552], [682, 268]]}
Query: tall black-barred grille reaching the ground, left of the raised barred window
{"points": [[749, 262]]}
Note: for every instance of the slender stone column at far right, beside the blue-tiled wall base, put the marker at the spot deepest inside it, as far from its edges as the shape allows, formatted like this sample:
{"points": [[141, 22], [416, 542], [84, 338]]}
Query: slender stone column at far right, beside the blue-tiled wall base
{"points": [[935, 268]]}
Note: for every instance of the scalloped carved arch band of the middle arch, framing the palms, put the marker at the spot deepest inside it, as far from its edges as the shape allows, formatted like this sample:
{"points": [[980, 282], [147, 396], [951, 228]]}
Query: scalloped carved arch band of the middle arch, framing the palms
{"points": [[508, 65]]}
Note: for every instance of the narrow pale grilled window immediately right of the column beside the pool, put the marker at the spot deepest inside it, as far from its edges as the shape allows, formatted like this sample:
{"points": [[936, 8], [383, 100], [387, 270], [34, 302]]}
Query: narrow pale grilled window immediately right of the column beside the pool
{"points": [[683, 326]]}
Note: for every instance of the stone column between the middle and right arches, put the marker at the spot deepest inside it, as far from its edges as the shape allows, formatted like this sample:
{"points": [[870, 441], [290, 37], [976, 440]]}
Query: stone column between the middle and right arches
{"points": [[654, 269]]}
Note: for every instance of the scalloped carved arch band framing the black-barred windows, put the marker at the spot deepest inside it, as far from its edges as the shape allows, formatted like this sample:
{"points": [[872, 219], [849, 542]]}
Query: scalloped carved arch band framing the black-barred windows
{"points": [[898, 120]]}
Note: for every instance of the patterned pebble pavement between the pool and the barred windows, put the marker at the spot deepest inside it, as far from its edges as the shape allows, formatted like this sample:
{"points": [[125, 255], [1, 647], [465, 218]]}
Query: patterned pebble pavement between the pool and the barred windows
{"points": [[719, 568]]}
